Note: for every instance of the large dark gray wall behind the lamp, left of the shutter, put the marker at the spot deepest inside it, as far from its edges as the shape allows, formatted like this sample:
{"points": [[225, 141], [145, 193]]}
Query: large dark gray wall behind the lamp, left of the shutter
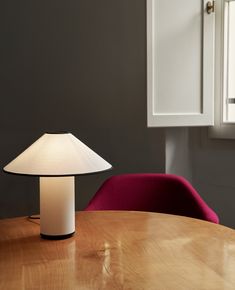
{"points": [[80, 66]]}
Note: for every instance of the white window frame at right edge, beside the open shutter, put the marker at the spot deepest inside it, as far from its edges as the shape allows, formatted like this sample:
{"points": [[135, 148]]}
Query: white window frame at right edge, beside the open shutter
{"points": [[221, 129]]}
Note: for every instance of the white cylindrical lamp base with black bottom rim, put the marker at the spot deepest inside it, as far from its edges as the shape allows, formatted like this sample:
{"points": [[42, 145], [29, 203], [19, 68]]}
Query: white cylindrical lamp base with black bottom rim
{"points": [[57, 207]]}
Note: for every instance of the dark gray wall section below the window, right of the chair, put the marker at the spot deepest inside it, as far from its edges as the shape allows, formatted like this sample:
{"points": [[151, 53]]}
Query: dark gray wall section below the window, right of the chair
{"points": [[213, 172]]}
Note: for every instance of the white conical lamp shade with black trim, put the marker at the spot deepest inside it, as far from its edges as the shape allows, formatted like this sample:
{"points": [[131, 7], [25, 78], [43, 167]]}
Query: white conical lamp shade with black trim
{"points": [[57, 155]]}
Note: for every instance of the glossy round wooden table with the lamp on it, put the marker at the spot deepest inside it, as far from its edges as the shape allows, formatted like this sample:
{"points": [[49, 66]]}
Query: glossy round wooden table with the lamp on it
{"points": [[119, 250]]}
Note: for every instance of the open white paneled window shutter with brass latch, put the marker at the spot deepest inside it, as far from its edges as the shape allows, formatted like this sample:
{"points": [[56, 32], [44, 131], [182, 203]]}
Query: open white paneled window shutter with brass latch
{"points": [[180, 63]]}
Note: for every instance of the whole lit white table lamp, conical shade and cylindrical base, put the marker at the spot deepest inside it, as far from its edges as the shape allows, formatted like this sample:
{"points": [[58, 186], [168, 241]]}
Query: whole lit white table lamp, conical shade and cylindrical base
{"points": [[56, 158]]}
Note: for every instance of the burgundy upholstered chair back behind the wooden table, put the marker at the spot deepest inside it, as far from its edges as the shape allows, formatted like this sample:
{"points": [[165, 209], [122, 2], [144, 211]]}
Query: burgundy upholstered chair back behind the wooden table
{"points": [[163, 193]]}
